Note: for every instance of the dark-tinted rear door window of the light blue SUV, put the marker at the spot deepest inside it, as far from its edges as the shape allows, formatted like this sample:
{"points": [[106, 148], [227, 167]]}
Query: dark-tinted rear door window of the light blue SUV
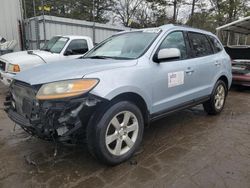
{"points": [[200, 44]]}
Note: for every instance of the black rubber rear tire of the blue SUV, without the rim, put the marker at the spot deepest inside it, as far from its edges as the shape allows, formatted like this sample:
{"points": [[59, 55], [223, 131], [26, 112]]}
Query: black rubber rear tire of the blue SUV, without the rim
{"points": [[210, 105]]}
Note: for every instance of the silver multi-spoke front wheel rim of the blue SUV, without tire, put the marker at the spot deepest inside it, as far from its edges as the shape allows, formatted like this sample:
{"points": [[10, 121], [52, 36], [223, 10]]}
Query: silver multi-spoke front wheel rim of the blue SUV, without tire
{"points": [[122, 133]]}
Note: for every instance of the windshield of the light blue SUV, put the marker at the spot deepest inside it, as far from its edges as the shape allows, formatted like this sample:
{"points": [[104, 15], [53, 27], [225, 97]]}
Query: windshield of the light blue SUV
{"points": [[124, 46]]}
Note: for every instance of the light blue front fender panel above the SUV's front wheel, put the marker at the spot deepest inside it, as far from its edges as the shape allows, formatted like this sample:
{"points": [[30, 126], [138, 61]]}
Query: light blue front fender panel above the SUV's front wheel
{"points": [[135, 79]]}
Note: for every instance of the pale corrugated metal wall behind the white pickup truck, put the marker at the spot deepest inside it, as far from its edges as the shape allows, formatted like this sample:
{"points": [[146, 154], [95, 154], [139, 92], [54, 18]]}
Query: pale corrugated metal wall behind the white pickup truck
{"points": [[42, 28]]}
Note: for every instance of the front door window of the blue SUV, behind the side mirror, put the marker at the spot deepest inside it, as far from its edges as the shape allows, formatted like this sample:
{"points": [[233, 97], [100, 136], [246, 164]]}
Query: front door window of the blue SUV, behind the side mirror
{"points": [[175, 40]]}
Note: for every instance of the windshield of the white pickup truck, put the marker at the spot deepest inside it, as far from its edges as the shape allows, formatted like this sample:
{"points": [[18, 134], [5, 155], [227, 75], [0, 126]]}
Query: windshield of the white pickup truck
{"points": [[55, 45]]}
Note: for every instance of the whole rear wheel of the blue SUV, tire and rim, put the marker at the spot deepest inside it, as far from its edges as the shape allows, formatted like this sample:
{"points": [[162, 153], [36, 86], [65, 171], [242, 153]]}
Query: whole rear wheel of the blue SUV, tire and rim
{"points": [[217, 100]]}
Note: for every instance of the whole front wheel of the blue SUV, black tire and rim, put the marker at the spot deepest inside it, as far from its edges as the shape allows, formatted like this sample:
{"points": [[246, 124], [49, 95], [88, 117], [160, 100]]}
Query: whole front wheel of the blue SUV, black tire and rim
{"points": [[115, 133]]}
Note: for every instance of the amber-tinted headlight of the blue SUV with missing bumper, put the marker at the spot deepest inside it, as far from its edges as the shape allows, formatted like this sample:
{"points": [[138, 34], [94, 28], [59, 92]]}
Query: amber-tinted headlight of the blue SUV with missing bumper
{"points": [[63, 89]]}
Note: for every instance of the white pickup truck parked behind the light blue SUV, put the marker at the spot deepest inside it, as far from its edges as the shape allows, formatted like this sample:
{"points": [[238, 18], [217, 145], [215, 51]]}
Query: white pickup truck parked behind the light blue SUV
{"points": [[57, 49]]}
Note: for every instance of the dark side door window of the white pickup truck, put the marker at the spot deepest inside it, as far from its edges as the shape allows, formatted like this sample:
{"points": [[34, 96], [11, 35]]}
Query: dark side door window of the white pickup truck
{"points": [[77, 47]]}
